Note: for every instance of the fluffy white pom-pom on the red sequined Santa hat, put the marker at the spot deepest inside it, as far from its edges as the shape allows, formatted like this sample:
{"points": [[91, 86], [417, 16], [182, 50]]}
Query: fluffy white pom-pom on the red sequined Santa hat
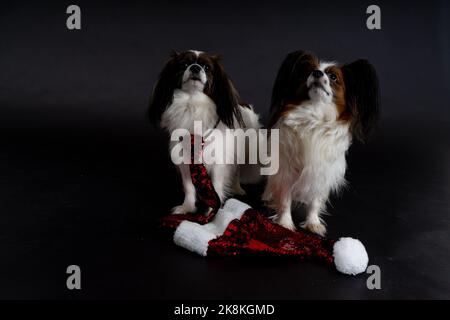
{"points": [[350, 256]]}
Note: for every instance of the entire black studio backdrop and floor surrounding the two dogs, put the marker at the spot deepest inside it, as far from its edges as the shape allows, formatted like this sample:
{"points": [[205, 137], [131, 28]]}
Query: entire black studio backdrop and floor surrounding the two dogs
{"points": [[83, 176]]}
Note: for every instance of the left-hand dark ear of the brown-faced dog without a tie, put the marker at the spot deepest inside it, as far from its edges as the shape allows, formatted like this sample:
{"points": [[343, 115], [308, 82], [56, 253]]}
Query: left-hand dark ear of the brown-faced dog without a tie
{"points": [[293, 73]]}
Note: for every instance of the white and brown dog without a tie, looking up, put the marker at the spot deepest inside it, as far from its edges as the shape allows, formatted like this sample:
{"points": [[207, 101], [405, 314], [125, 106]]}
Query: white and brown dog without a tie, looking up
{"points": [[318, 108]]}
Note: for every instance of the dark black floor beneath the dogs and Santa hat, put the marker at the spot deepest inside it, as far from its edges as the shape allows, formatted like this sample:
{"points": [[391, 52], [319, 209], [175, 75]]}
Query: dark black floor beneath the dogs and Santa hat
{"points": [[93, 199]]}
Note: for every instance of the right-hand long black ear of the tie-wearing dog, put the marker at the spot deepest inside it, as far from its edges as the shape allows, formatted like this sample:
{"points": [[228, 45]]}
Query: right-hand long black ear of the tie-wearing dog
{"points": [[224, 95]]}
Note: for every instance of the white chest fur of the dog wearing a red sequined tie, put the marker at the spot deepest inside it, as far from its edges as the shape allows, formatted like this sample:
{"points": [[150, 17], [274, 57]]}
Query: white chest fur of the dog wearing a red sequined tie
{"points": [[188, 107]]}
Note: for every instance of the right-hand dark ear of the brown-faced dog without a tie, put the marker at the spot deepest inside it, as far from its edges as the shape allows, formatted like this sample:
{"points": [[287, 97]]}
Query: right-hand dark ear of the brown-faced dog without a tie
{"points": [[362, 95]]}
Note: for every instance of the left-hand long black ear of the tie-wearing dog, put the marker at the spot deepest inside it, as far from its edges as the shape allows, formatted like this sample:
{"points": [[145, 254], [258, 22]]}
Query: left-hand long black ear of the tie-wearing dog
{"points": [[163, 89]]}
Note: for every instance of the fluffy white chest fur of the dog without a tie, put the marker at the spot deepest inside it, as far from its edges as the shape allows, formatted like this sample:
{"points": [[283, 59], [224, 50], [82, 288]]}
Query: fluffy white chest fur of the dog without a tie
{"points": [[313, 144]]}
